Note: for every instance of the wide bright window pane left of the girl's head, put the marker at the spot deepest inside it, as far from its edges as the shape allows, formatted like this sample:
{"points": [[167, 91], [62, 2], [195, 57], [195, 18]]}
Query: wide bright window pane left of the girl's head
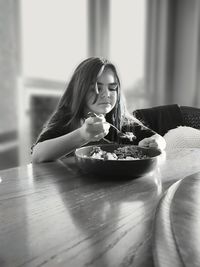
{"points": [[54, 37]]}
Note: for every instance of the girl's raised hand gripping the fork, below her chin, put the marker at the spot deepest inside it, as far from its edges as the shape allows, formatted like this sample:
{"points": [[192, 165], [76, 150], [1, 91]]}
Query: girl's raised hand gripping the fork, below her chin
{"points": [[94, 128]]}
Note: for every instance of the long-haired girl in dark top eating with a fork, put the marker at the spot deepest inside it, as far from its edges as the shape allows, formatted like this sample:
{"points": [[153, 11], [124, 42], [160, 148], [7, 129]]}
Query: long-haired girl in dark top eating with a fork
{"points": [[92, 101]]}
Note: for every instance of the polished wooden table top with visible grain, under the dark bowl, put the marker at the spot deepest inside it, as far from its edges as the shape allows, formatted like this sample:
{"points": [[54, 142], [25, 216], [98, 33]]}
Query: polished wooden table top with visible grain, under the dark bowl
{"points": [[51, 215]]}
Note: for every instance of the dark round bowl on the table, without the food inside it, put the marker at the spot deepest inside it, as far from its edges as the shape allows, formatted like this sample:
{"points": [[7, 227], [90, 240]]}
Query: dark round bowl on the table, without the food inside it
{"points": [[116, 168]]}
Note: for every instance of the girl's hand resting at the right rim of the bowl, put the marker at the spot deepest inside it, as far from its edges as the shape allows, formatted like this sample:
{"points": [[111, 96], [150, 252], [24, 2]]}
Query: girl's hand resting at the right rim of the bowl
{"points": [[155, 141]]}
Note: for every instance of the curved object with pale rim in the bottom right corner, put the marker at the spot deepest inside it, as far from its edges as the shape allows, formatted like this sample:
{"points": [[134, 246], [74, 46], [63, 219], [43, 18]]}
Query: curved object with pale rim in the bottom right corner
{"points": [[177, 225]]}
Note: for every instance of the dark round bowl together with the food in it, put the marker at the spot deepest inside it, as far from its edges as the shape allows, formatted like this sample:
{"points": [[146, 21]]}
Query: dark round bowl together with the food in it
{"points": [[111, 161]]}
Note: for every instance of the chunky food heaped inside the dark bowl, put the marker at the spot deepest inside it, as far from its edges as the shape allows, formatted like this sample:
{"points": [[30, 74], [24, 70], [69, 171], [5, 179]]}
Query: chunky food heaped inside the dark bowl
{"points": [[120, 153]]}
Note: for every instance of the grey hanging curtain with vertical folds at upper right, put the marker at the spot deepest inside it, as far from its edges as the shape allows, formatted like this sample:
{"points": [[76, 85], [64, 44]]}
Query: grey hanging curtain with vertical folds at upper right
{"points": [[172, 52]]}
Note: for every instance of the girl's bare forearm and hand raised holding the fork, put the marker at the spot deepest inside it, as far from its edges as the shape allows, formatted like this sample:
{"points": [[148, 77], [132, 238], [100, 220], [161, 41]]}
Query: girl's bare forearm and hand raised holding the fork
{"points": [[93, 129]]}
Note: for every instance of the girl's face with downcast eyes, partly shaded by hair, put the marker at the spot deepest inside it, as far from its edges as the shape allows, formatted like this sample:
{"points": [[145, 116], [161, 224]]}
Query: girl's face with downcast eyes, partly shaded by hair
{"points": [[102, 99]]}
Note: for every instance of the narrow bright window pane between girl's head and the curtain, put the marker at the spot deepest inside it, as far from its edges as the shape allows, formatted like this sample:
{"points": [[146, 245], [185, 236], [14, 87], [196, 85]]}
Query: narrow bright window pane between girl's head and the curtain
{"points": [[127, 46]]}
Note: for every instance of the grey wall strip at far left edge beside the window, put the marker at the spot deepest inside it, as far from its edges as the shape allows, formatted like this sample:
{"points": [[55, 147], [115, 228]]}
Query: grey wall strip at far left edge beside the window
{"points": [[8, 67]]}
